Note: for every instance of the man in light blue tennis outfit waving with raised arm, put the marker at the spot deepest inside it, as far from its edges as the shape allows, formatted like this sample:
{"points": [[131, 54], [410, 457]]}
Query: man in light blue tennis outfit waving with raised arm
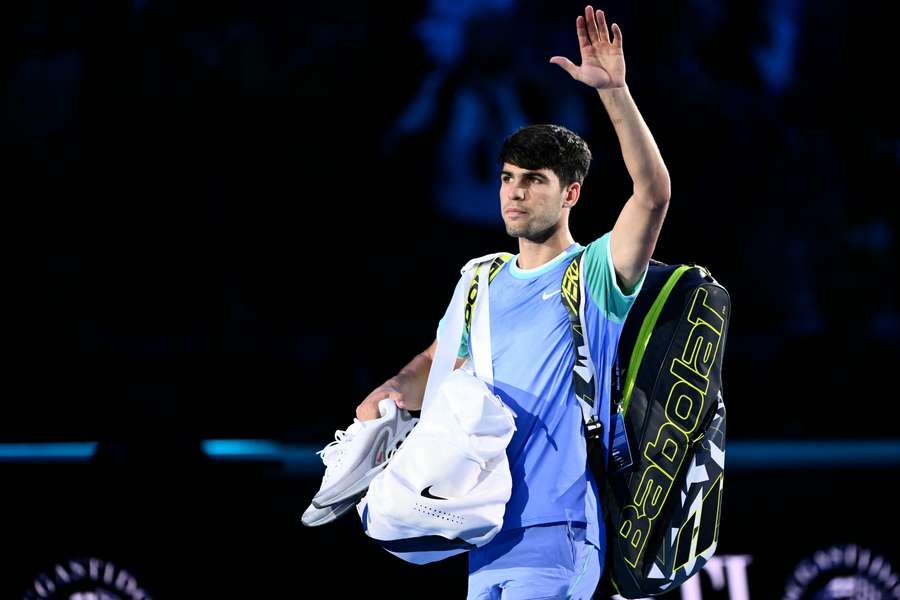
{"points": [[552, 543]]}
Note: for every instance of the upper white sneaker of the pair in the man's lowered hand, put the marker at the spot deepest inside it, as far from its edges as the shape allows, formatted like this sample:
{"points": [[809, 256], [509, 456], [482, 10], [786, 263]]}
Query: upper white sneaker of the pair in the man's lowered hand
{"points": [[358, 454]]}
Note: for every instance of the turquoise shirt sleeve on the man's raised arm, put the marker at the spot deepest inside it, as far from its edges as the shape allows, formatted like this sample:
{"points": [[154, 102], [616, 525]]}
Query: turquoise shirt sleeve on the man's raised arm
{"points": [[602, 283]]}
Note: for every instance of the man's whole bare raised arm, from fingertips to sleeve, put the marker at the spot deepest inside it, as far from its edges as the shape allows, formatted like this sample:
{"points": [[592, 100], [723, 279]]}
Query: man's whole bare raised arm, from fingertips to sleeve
{"points": [[603, 68]]}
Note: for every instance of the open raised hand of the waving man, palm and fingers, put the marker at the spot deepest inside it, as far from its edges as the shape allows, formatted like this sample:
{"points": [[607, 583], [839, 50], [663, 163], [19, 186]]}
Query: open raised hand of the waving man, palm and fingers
{"points": [[602, 60]]}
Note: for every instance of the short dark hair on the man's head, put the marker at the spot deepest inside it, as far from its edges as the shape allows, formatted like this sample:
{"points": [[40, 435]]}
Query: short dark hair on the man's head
{"points": [[548, 147]]}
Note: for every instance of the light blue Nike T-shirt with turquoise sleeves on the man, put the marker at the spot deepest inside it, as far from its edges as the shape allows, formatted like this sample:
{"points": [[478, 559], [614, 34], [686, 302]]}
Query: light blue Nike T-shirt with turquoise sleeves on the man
{"points": [[533, 354]]}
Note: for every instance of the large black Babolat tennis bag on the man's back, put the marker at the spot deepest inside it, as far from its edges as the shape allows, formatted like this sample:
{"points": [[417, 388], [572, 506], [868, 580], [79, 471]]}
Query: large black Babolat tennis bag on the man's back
{"points": [[665, 472]]}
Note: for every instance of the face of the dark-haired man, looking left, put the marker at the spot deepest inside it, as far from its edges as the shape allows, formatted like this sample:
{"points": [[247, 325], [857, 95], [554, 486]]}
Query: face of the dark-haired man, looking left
{"points": [[531, 201]]}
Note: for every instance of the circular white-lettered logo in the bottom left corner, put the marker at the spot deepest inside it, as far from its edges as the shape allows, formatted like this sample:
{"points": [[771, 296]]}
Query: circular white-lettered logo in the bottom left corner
{"points": [[85, 579]]}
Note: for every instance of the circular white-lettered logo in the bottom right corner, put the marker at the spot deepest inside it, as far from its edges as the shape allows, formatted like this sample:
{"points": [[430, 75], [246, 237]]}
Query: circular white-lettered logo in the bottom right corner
{"points": [[846, 572]]}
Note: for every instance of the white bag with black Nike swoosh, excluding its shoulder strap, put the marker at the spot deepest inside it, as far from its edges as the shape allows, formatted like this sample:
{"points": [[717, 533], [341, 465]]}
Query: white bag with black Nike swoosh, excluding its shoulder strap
{"points": [[457, 456]]}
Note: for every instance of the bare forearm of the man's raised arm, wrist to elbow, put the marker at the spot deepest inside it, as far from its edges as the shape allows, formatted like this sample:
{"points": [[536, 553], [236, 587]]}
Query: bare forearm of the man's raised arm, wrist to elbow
{"points": [[639, 151]]}
